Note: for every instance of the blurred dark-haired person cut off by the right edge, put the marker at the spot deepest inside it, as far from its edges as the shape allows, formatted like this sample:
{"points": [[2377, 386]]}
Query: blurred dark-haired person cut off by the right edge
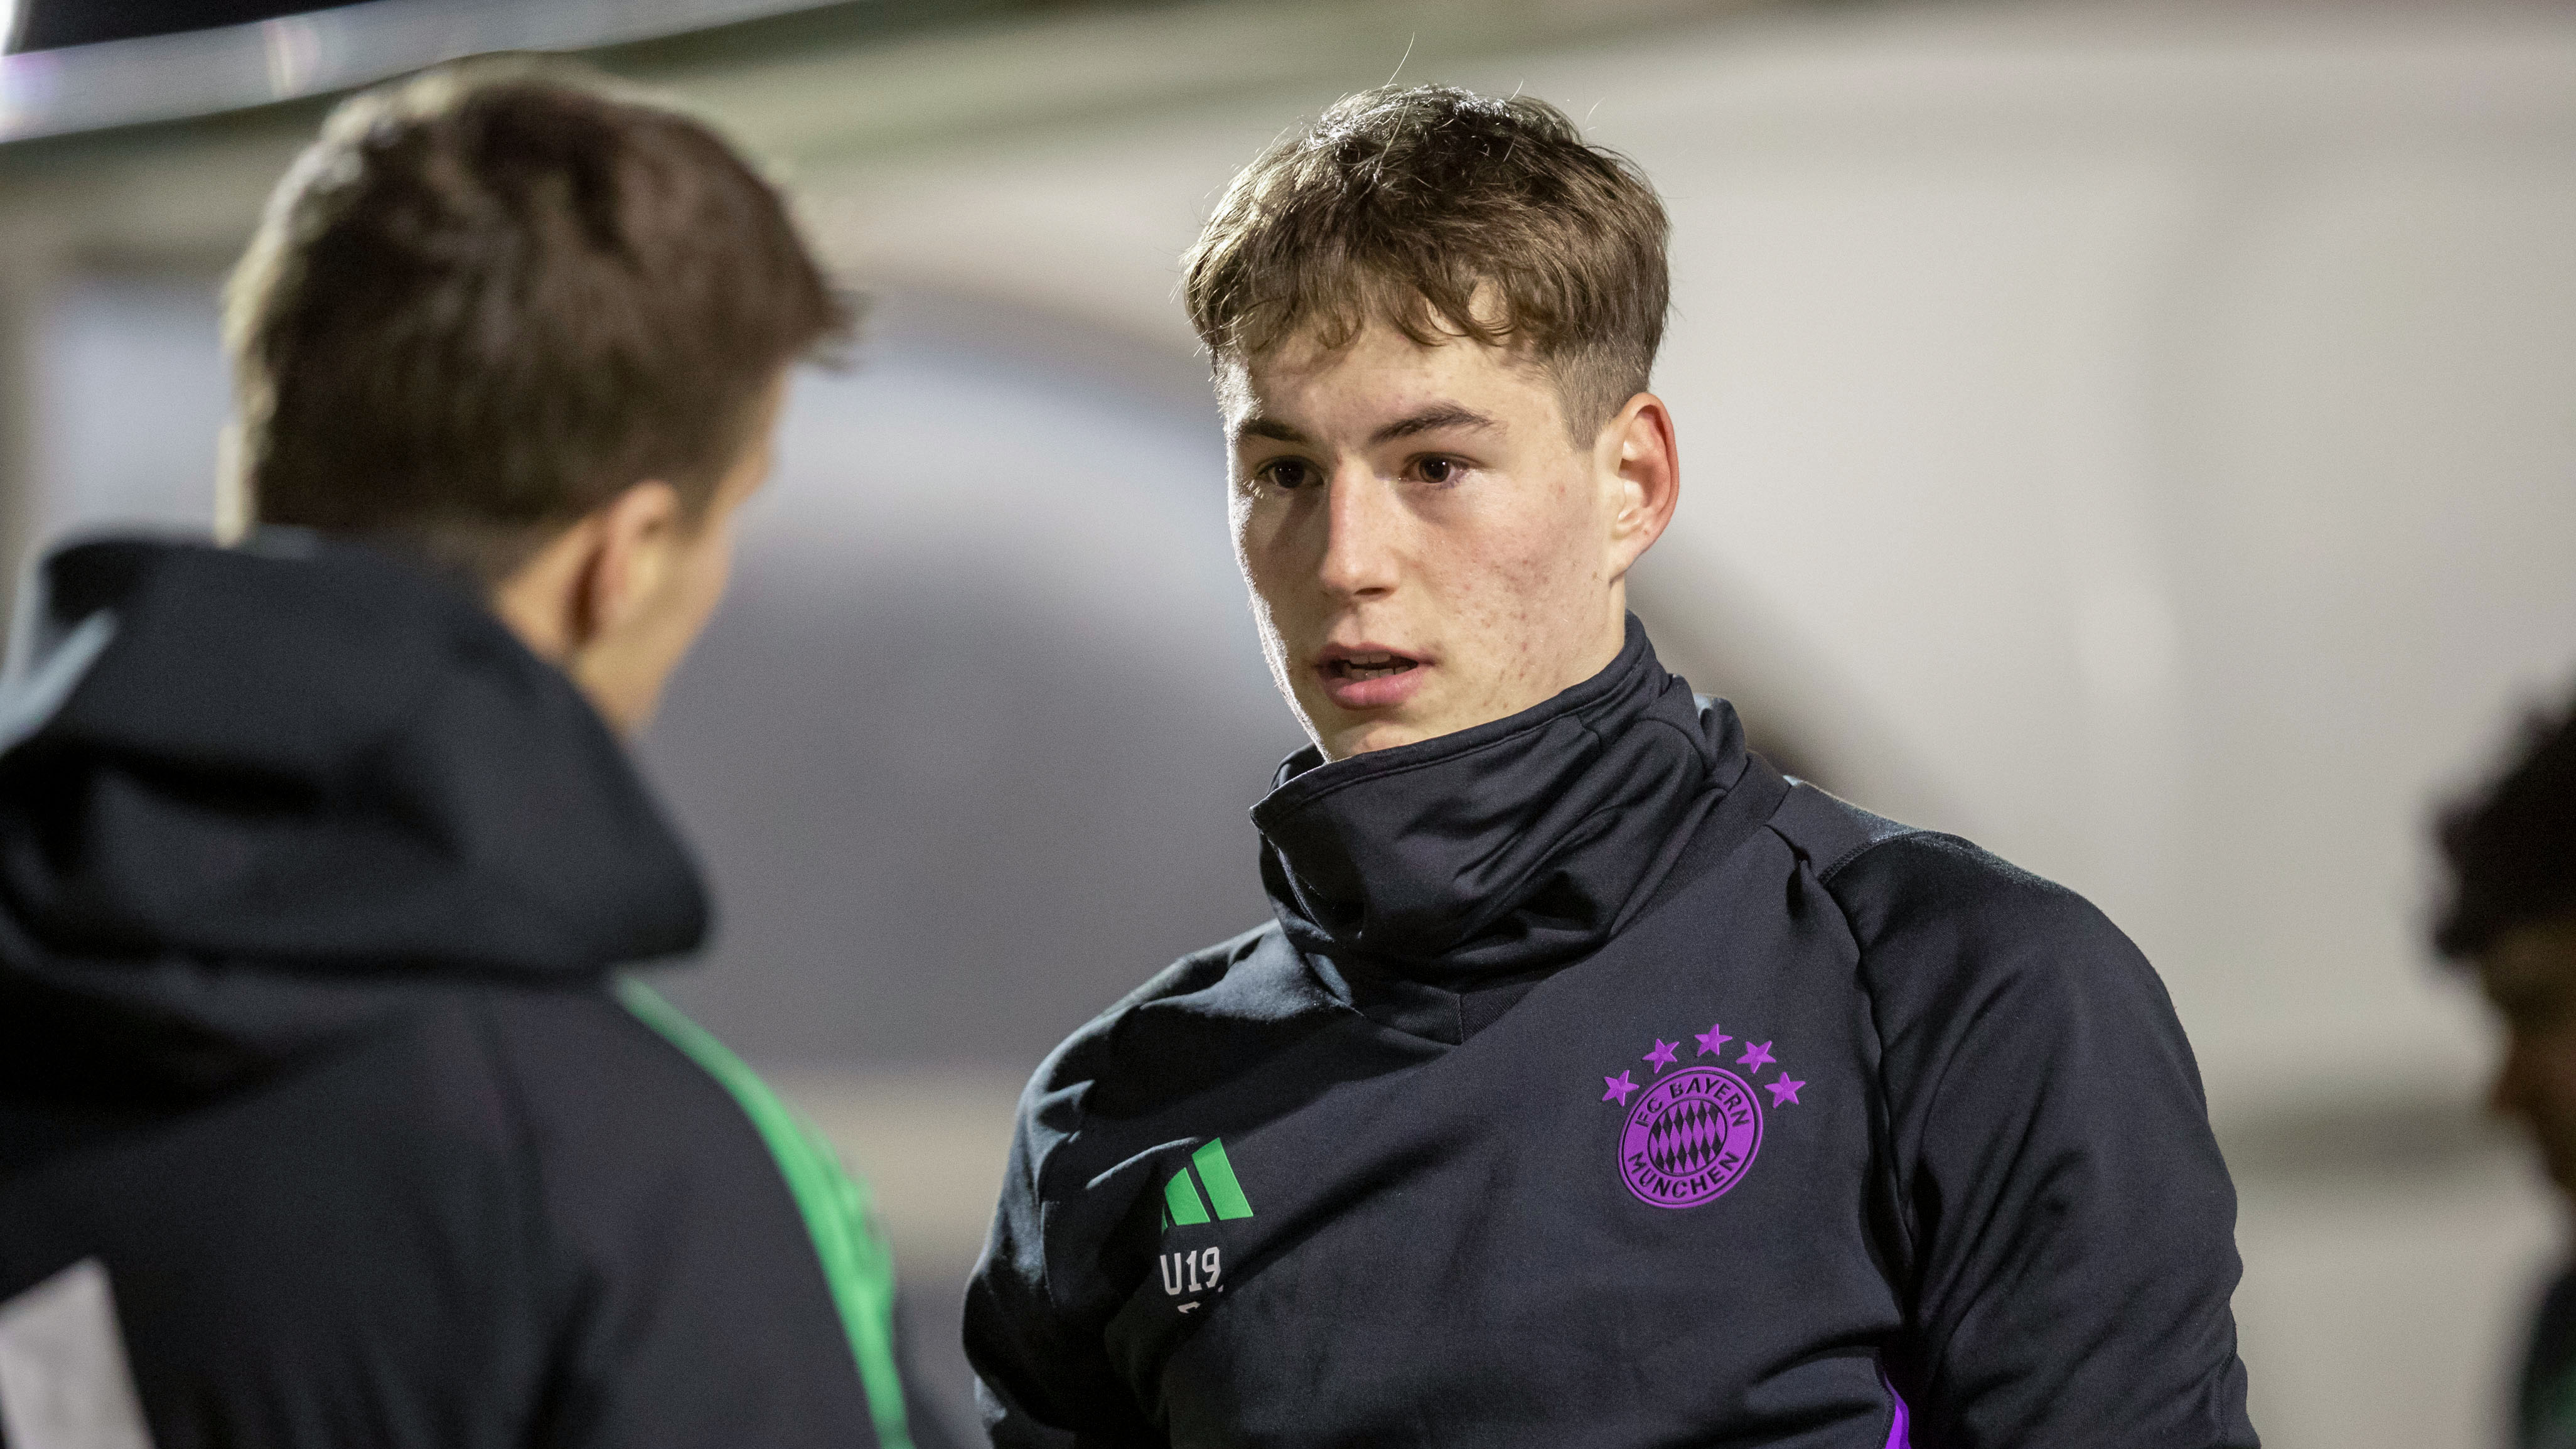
{"points": [[2513, 914]]}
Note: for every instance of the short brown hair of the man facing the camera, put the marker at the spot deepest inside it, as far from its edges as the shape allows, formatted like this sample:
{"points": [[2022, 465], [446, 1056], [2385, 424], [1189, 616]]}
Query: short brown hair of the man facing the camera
{"points": [[1439, 210]]}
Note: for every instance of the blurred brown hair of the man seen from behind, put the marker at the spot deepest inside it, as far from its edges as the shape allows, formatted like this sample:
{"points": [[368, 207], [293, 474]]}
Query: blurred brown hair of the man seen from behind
{"points": [[496, 295]]}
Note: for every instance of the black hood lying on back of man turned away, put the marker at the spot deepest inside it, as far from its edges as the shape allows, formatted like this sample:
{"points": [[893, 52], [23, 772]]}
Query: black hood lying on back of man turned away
{"points": [[246, 793]]}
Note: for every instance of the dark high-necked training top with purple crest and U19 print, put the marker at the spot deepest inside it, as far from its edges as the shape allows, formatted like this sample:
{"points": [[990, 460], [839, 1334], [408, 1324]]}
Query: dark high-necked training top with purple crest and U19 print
{"points": [[1598, 1087]]}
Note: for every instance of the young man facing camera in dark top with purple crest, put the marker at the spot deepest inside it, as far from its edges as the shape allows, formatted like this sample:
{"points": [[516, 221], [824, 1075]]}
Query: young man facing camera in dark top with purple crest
{"points": [[1593, 1084]]}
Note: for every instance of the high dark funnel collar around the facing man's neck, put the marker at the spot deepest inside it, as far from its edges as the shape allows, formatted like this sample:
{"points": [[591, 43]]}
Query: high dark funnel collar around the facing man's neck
{"points": [[1513, 847]]}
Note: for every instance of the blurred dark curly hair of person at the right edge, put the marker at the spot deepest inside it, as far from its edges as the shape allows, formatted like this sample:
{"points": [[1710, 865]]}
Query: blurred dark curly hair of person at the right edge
{"points": [[2513, 844]]}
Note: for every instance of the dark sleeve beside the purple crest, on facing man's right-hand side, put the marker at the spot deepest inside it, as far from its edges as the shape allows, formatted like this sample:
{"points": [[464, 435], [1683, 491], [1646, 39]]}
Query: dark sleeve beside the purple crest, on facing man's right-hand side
{"points": [[2070, 1223]]}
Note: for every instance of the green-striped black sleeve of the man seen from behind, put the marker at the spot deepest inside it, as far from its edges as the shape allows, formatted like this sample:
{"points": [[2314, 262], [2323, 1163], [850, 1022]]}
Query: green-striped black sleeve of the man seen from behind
{"points": [[687, 1298]]}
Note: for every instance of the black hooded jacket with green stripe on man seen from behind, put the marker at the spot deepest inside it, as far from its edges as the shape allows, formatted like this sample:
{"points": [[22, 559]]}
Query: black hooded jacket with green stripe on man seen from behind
{"points": [[321, 1115]]}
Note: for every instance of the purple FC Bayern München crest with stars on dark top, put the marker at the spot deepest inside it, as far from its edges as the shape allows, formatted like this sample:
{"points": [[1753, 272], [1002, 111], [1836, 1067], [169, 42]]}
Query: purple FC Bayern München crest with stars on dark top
{"points": [[1696, 1131]]}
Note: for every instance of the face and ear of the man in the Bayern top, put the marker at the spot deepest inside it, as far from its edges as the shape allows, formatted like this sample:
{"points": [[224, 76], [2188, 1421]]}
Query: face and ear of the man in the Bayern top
{"points": [[1426, 545]]}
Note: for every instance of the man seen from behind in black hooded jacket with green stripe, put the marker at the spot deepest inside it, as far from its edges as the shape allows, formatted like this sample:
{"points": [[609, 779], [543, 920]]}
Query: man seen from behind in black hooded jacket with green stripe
{"points": [[323, 1118]]}
